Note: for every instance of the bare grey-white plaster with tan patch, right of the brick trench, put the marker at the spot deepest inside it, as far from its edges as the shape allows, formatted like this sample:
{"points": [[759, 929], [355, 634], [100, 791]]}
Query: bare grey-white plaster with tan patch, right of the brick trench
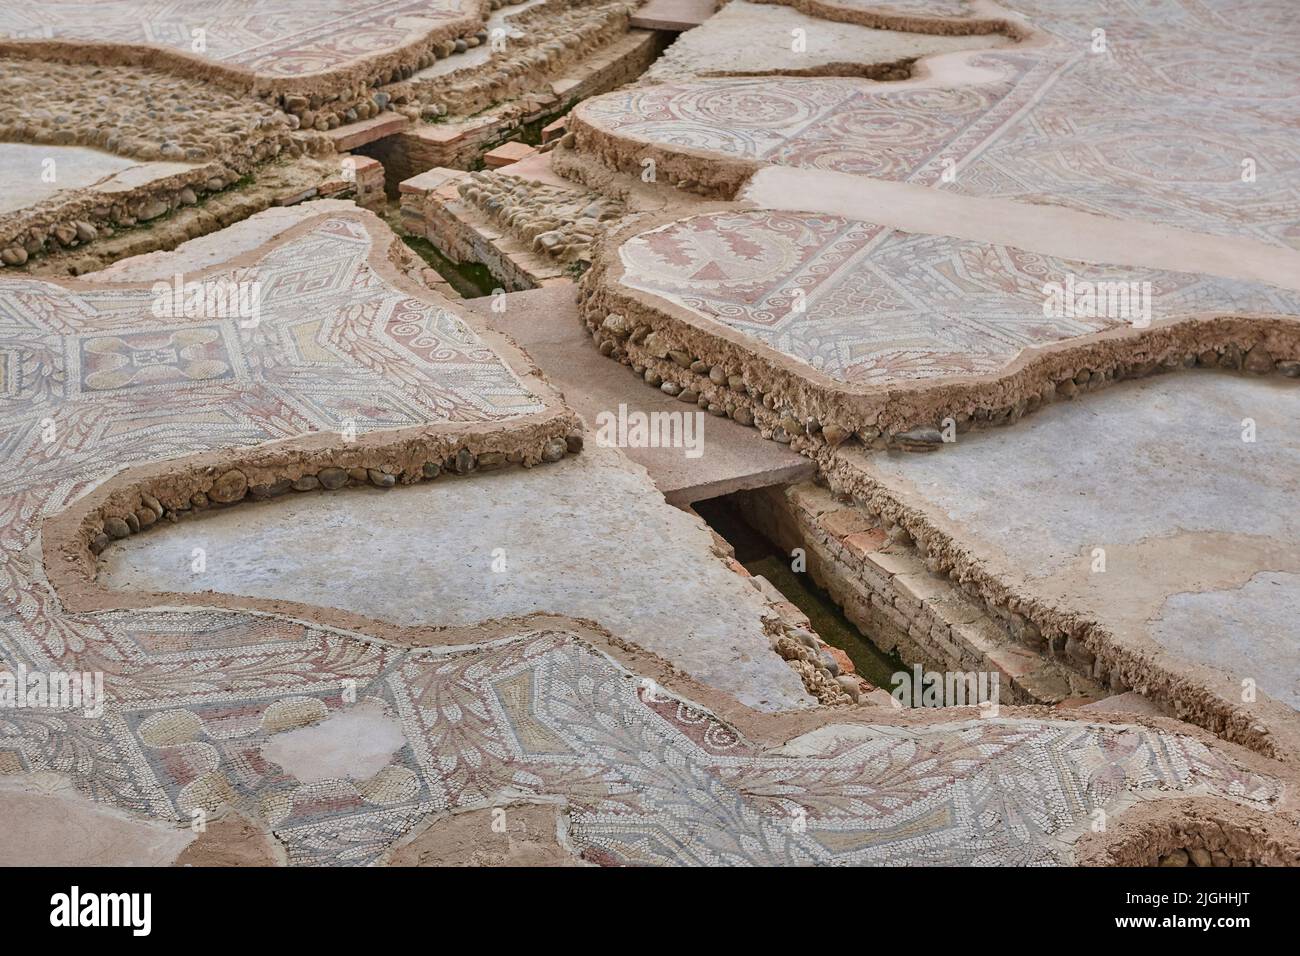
{"points": [[1199, 529]]}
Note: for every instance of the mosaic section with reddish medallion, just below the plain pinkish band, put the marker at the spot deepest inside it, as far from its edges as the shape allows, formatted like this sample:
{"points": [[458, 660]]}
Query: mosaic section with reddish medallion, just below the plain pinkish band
{"points": [[868, 304]]}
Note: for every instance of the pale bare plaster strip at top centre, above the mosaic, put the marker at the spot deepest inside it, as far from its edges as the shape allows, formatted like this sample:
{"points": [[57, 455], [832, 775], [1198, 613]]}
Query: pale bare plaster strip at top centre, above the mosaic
{"points": [[757, 38]]}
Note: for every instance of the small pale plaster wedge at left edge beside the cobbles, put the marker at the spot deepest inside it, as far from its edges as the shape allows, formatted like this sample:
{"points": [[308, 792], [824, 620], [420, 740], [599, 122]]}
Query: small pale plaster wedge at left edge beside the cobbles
{"points": [[23, 172]]}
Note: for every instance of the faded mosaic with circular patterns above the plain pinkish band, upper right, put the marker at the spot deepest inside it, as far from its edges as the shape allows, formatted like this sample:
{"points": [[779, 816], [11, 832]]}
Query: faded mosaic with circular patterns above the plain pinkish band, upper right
{"points": [[1155, 128]]}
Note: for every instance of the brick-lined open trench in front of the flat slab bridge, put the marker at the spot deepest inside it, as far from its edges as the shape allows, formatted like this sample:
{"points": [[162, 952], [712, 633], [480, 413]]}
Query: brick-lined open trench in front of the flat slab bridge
{"points": [[872, 596]]}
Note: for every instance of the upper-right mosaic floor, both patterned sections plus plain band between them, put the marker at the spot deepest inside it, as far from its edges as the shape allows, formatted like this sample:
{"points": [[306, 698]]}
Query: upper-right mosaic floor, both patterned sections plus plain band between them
{"points": [[838, 300]]}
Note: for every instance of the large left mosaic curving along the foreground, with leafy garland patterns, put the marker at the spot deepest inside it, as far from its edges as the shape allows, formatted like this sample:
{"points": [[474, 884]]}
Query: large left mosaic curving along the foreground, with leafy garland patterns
{"points": [[194, 694]]}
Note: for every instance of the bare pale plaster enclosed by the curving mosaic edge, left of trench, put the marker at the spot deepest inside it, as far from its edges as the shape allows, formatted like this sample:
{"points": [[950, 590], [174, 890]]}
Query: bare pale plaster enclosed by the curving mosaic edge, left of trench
{"points": [[588, 535]]}
